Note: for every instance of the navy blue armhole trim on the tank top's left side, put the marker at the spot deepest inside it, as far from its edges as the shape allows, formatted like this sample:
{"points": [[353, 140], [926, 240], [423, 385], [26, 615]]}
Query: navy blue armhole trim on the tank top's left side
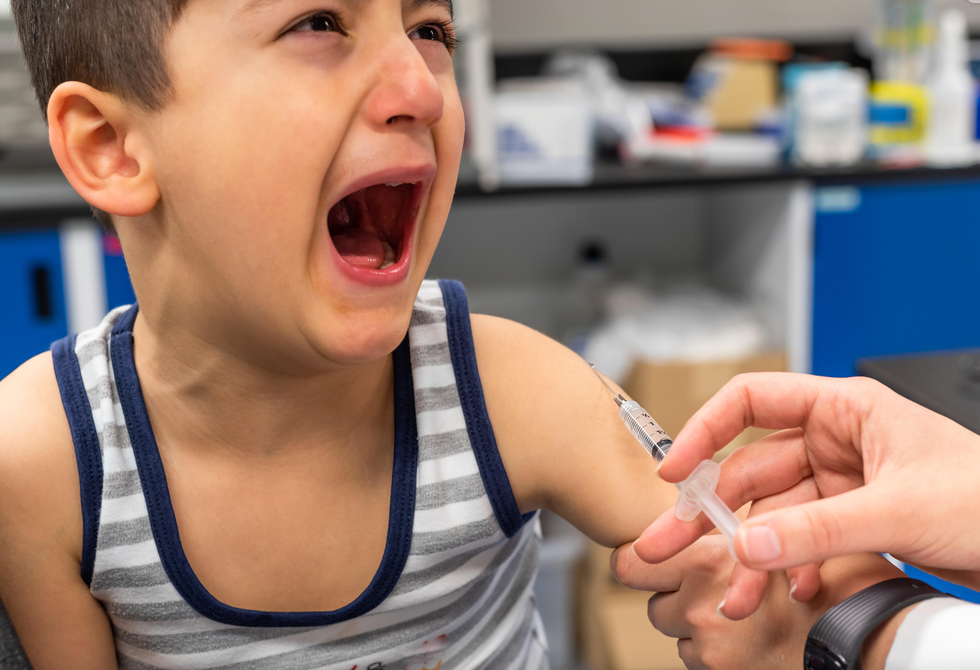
{"points": [[88, 454]]}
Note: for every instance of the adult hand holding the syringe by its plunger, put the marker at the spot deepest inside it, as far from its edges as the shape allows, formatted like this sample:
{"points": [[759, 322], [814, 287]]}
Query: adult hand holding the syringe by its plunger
{"points": [[890, 476]]}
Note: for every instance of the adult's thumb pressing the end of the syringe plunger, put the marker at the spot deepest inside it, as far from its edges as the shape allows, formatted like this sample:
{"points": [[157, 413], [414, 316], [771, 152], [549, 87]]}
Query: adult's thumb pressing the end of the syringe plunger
{"points": [[849, 523]]}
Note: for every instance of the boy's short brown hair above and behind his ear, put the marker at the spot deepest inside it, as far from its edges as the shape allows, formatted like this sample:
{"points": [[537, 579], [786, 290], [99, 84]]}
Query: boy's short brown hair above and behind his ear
{"points": [[115, 46]]}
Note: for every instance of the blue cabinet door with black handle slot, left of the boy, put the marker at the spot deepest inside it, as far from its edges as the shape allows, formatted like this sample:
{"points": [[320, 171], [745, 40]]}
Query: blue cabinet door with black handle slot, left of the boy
{"points": [[32, 296]]}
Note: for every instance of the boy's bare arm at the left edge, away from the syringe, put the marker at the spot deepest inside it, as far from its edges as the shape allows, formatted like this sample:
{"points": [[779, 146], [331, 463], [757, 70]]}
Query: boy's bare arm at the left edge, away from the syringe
{"points": [[58, 621]]}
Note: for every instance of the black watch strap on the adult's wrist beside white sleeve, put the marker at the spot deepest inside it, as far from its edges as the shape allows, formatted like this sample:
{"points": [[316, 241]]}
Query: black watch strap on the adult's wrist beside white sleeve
{"points": [[835, 640]]}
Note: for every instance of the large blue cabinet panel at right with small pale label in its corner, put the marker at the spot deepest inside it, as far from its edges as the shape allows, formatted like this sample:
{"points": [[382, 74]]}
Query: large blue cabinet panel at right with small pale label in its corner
{"points": [[896, 270]]}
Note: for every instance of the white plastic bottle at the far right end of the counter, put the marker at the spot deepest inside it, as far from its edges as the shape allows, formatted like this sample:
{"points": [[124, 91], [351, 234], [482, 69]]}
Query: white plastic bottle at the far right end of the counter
{"points": [[953, 97]]}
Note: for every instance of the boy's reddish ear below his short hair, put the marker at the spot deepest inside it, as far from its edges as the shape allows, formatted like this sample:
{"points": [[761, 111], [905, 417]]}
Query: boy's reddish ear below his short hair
{"points": [[106, 161]]}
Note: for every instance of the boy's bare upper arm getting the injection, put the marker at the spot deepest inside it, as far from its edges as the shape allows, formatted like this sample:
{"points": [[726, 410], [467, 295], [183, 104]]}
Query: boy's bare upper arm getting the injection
{"points": [[560, 436]]}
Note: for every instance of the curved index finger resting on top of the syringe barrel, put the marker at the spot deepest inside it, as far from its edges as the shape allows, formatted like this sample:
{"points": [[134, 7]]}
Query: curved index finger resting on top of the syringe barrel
{"points": [[773, 400]]}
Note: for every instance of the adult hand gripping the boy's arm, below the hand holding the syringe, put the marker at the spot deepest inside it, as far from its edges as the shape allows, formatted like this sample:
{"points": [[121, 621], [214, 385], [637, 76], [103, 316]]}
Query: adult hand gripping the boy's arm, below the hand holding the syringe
{"points": [[690, 586]]}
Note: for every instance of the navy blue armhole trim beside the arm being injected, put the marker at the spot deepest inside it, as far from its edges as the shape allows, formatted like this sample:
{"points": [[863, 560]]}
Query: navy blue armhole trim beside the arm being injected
{"points": [[478, 426]]}
